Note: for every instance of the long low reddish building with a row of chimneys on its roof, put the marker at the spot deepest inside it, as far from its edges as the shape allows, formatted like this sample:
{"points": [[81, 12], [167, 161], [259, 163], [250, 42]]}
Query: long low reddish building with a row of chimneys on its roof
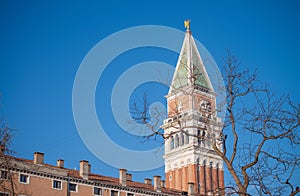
{"points": [[22, 177]]}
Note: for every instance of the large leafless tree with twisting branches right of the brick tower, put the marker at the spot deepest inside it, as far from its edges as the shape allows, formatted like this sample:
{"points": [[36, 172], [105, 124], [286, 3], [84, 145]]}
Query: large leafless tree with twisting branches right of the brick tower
{"points": [[259, 141]]}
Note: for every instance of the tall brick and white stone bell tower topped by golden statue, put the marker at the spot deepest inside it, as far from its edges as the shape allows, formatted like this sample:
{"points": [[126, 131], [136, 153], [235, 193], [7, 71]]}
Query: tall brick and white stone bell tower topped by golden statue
{"points": [[192, 125]]}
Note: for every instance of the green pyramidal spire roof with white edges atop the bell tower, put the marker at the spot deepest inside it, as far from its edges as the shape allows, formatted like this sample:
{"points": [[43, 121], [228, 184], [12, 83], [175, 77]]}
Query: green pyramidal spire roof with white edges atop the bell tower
{"points": [[190, 70]]}
